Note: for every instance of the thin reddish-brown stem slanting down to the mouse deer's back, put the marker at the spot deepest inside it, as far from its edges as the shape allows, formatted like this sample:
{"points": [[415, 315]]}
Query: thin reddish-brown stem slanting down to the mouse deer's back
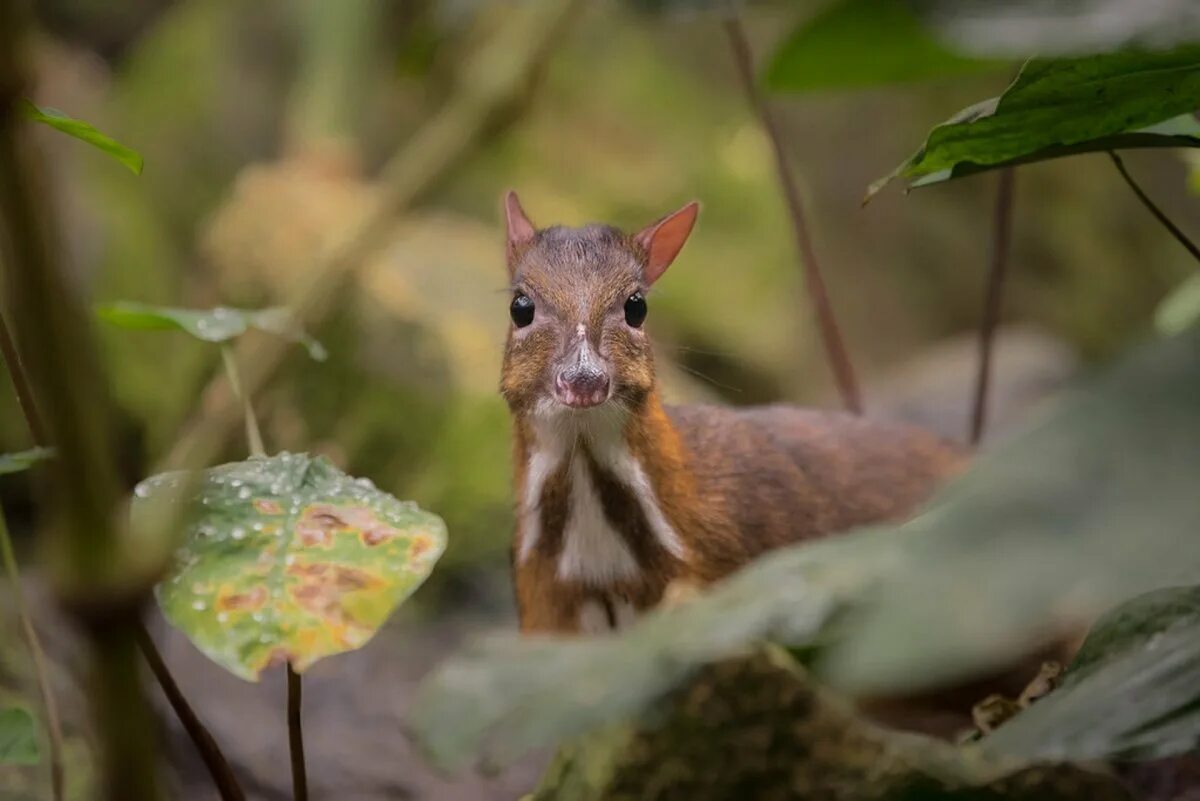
{"points": [[827, 322]]}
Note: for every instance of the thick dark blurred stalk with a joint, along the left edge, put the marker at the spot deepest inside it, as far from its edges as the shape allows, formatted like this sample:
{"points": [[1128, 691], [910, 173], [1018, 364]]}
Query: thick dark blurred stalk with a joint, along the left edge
{"points": [[92, 573]]}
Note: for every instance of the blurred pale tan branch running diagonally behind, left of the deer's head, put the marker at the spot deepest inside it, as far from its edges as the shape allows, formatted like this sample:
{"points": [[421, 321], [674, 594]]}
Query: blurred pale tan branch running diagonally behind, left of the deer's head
{"points": [[493, 82]]}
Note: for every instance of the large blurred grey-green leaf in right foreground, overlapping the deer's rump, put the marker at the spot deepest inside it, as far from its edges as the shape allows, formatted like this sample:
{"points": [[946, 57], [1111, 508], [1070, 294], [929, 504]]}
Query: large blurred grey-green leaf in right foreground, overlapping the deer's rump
{"points": [[1094, 504]]}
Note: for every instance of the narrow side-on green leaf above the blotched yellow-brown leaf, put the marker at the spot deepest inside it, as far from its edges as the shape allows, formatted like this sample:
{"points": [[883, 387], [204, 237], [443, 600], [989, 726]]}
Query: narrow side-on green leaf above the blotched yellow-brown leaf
{"points": [[219, 324]]}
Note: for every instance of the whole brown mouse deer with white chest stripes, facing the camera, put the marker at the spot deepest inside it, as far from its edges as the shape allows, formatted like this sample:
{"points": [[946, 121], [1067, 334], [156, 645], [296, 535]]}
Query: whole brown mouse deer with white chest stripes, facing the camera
{"points": [[619, 496]]}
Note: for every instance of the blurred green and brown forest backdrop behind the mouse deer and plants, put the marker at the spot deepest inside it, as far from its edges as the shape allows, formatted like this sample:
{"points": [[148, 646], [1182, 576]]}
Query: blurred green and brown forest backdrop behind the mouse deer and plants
{"points": [[266, 129]]}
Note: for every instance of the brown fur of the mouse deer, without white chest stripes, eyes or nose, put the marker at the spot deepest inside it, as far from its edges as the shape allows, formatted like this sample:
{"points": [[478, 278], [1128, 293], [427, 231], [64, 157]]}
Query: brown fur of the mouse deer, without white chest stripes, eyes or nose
{"points": [[733, 484]]}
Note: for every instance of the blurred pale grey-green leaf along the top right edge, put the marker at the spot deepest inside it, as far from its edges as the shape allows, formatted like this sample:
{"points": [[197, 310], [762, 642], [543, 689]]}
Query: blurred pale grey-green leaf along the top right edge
{"points": [[1027, 28]]}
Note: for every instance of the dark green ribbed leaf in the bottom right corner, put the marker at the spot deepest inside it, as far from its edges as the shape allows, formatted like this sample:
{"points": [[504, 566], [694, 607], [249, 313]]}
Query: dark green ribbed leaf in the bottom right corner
{"points": [[1133, 691]]}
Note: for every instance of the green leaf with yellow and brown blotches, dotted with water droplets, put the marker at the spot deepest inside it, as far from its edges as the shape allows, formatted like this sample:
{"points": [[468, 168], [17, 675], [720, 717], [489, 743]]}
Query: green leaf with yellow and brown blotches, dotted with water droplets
{"points": [[287, 559]]}
